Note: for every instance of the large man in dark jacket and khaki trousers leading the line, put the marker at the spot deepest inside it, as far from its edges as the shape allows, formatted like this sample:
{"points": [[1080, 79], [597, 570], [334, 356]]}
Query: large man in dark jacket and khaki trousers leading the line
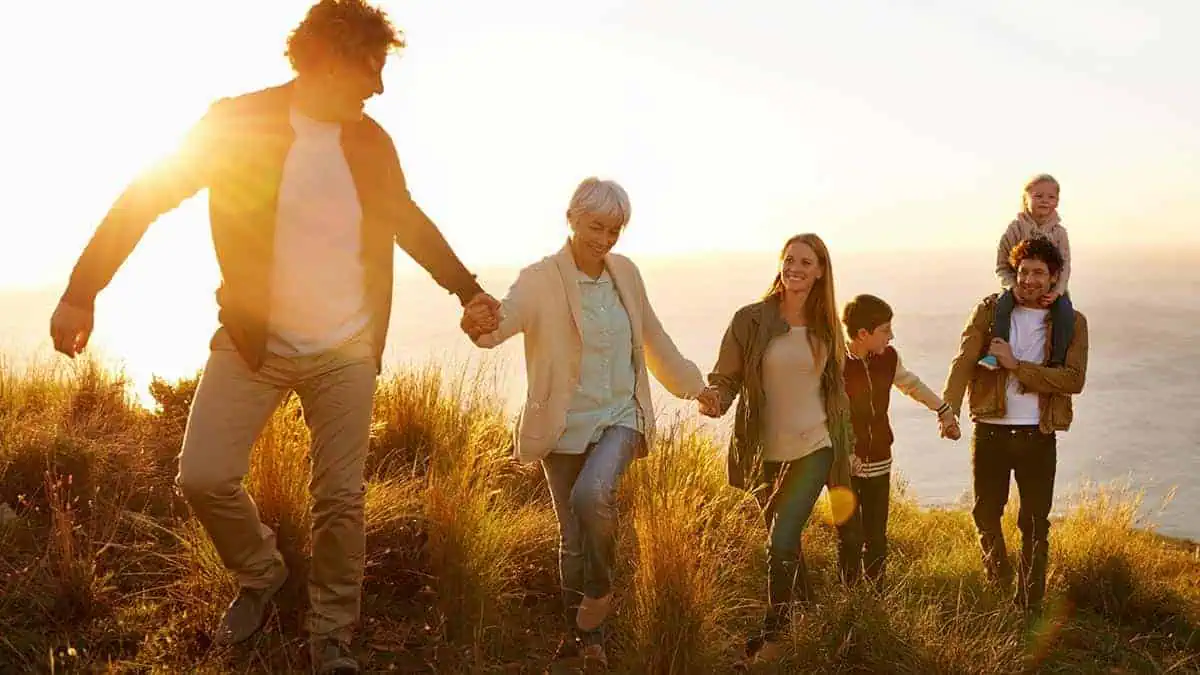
{"points": [[307, 200]]}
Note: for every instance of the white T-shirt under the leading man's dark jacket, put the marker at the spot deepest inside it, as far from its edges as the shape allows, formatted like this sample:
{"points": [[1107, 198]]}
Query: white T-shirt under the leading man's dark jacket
{"points": [[319, 298]]}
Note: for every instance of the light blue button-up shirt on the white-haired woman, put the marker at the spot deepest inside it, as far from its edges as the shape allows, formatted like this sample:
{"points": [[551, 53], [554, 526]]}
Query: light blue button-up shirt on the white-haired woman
{"points": [[604, 396]]}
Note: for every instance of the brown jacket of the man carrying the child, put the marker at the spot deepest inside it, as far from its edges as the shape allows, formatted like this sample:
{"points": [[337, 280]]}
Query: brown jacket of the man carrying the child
{"points": [[988, 387]]}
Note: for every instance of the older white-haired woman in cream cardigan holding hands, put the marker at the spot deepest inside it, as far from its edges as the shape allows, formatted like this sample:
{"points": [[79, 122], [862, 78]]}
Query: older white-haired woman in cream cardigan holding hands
{"points": [[590, 337]]}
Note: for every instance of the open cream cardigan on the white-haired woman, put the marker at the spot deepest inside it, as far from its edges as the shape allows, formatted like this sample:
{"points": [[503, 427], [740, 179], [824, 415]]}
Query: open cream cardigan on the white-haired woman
{"points": [[544, 303]]}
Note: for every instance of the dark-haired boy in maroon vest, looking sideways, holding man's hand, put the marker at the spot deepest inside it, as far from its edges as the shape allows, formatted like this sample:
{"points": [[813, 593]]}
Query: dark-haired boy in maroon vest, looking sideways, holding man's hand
{"points": [[872, 371]]}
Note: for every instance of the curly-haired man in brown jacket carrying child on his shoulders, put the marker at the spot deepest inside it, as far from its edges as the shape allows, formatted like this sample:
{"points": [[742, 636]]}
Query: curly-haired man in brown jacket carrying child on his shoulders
{"points": [[1017, 410]]}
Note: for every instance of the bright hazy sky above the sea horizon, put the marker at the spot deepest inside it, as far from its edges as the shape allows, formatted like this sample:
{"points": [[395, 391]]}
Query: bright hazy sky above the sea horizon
{"points": [[877, 124]]}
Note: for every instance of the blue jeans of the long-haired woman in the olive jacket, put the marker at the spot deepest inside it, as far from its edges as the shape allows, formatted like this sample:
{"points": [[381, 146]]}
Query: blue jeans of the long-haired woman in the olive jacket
{"points": [[797, 486]]}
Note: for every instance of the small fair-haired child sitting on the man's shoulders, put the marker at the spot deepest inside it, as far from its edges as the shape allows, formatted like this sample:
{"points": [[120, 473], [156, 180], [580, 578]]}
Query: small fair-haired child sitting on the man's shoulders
{"points": [[1039, 218]]}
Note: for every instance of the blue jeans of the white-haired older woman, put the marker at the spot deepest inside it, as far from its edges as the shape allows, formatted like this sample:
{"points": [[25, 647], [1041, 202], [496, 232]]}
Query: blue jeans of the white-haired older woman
{"points": [[584, 489]]}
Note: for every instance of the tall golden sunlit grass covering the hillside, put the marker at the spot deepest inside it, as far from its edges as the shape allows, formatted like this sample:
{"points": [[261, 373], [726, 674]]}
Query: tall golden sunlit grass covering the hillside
{"points": [[105, 570]]}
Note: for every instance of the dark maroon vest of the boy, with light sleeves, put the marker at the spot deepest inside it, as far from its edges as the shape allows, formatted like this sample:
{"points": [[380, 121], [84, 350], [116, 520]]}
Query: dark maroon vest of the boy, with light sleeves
{"points": [[869, 387]]}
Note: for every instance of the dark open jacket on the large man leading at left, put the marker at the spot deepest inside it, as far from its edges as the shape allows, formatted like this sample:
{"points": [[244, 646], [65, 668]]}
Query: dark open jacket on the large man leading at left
{"points": [[237, 152]]}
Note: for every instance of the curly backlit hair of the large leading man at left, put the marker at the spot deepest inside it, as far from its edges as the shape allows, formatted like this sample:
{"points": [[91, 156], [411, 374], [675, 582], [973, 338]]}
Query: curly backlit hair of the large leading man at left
{"points": [[351, 29]]}
